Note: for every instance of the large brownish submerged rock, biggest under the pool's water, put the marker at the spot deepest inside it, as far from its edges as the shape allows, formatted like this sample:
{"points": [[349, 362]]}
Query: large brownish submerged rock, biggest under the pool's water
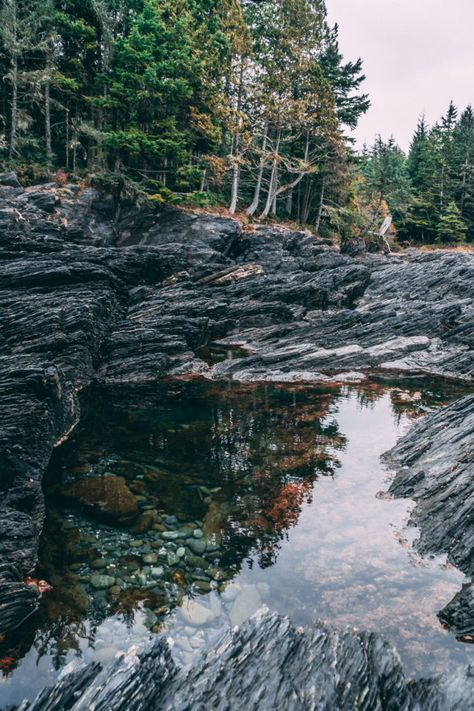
{"points": [[107, 495]]}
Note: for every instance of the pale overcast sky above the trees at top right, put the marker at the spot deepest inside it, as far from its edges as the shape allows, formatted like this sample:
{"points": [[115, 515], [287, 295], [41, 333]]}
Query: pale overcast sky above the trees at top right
{"points": [[418, 54]]}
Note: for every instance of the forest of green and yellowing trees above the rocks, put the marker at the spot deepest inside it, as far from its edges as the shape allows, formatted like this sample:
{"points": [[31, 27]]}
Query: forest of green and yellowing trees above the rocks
{"points": [[247, 106]]}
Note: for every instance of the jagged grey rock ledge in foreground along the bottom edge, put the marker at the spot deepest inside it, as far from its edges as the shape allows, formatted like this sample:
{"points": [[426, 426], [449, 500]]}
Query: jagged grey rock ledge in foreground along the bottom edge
{"points": [[264, 664]]}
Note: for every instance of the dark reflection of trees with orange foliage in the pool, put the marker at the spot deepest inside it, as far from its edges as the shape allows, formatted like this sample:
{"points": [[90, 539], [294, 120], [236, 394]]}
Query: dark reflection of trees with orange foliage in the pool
{"points": [[262, 446]]}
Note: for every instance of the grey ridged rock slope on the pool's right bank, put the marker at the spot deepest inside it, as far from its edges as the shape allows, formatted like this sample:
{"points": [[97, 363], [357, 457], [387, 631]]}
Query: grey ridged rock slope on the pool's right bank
{"points": [[434, 465]]}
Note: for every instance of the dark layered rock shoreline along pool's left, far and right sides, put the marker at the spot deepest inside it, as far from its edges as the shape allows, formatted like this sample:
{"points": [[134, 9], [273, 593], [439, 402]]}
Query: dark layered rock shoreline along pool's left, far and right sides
{"points": [[95, 290]]}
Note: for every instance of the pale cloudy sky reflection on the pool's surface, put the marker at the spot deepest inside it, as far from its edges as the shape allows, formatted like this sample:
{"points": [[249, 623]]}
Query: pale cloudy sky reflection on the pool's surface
{"points": [[347, 561]]}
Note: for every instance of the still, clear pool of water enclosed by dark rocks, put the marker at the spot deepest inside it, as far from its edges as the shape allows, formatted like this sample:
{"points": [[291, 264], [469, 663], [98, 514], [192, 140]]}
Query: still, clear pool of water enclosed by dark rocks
{"points": [[183, 508]]}
